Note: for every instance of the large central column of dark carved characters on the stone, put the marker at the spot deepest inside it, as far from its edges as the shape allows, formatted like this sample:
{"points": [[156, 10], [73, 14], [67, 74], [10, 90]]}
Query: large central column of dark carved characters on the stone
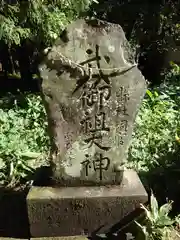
{"points": [[96, 92]]}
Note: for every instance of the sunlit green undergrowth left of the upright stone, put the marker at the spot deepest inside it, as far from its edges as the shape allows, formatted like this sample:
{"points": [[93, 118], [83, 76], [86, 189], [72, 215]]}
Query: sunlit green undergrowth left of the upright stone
{"points": [[23, 139]]}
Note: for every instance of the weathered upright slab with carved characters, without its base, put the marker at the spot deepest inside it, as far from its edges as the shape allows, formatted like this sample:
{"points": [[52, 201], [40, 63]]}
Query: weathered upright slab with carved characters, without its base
{"points": [[92, 89]]}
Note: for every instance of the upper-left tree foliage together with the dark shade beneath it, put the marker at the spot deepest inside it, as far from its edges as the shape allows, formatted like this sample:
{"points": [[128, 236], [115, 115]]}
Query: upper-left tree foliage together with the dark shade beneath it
{"points": [[28, 27]]}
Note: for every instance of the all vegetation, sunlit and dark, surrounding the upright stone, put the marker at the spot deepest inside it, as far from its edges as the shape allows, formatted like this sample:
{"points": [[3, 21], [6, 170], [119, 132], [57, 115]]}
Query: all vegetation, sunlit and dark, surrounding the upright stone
{"points": [[152, 28]]}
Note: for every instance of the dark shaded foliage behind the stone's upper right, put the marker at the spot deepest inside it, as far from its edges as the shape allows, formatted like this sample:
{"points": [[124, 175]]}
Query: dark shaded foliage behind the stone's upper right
{"points": [[152, 27]]}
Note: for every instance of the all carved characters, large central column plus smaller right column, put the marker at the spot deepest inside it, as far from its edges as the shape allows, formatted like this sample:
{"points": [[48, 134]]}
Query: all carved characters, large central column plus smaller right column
{"points": [[96, 92]]}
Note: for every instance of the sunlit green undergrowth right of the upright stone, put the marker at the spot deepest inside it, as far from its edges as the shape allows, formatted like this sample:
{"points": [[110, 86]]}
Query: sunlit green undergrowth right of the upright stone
{"points": [[157, 126]]}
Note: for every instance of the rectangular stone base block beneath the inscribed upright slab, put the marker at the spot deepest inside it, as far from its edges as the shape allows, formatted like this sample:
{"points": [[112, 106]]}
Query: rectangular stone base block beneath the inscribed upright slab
{"points": [[72, 211]]}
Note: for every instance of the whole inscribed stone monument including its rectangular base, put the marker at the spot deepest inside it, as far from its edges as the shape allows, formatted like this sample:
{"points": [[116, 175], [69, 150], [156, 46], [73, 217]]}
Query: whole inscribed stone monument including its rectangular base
{"points": [[92, 90]]}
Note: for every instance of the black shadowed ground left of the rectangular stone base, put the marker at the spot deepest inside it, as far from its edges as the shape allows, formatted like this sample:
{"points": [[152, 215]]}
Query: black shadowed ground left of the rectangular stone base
{"points": [[13, 213]]}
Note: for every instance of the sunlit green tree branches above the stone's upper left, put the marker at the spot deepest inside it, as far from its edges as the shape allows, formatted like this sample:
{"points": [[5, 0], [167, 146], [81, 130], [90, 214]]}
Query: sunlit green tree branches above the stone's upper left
{"points": [[38, 20]]}
